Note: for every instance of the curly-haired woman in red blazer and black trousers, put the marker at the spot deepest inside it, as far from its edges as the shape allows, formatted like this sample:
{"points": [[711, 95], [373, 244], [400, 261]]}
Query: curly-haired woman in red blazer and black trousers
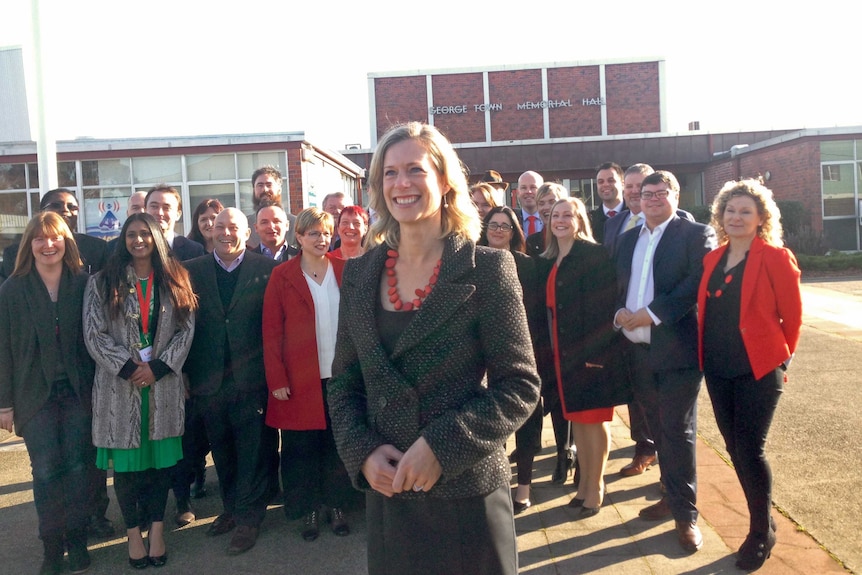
{"points": [[750, 314]]}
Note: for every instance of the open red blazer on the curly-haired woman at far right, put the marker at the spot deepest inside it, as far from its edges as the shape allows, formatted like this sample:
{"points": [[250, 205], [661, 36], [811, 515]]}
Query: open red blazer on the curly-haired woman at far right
{"points": [[771, 308]]}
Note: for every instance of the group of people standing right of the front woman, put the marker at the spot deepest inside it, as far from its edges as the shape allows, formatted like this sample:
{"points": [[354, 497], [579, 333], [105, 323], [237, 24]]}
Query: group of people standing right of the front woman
{"points": [[641, 319]]}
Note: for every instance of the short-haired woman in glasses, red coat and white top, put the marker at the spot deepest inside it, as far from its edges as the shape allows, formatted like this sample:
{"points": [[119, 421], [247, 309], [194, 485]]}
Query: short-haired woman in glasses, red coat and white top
{"points": [[300, 321]]}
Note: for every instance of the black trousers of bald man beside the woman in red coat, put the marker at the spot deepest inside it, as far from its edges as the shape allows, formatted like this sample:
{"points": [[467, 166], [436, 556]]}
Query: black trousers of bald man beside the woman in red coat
{"points": [[243, 449]]}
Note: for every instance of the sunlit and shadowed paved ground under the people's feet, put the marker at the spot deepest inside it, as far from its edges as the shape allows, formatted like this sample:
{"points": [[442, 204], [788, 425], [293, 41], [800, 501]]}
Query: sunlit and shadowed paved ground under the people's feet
{"points": [[812, 448]]}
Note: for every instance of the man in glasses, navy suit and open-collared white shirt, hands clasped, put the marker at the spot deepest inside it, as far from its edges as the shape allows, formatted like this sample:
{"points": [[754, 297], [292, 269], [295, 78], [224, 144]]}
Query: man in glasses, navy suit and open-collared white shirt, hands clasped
{"points": [[659, 267]]}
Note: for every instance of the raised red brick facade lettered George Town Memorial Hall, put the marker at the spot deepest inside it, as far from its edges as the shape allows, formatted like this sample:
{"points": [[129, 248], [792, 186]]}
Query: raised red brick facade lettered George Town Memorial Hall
{"points": [[574, 102]]}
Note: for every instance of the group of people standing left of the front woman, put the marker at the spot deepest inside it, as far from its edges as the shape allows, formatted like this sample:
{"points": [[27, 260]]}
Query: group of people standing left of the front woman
{"points": [[118, 355]]}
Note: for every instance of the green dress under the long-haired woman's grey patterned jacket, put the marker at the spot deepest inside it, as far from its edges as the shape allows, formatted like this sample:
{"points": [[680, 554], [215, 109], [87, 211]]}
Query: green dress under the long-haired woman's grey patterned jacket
{"points": [[152, 454]]}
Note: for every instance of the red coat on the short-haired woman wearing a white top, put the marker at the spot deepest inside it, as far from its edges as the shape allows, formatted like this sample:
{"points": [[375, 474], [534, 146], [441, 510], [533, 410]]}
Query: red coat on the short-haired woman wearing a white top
{"points": [[290, 348]]}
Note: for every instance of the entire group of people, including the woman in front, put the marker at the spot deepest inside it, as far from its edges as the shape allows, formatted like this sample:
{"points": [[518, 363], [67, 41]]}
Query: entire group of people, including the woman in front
{"points": [[403, 371]]}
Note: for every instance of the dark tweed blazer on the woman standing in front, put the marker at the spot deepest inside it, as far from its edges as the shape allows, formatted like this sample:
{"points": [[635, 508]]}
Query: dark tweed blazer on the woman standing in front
{"points": [[462, 375]]}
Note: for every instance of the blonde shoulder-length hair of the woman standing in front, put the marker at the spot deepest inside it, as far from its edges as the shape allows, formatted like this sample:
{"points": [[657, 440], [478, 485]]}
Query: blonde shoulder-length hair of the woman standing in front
{"points": [[458, 215]]}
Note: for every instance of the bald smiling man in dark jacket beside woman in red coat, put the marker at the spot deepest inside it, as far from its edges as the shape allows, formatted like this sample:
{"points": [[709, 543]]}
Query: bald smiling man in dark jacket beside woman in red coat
{"points": [[227, 376]]}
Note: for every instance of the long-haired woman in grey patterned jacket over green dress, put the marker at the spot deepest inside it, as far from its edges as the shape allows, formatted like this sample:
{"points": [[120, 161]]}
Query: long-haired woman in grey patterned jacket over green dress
{"points": [[138, 327]]}
